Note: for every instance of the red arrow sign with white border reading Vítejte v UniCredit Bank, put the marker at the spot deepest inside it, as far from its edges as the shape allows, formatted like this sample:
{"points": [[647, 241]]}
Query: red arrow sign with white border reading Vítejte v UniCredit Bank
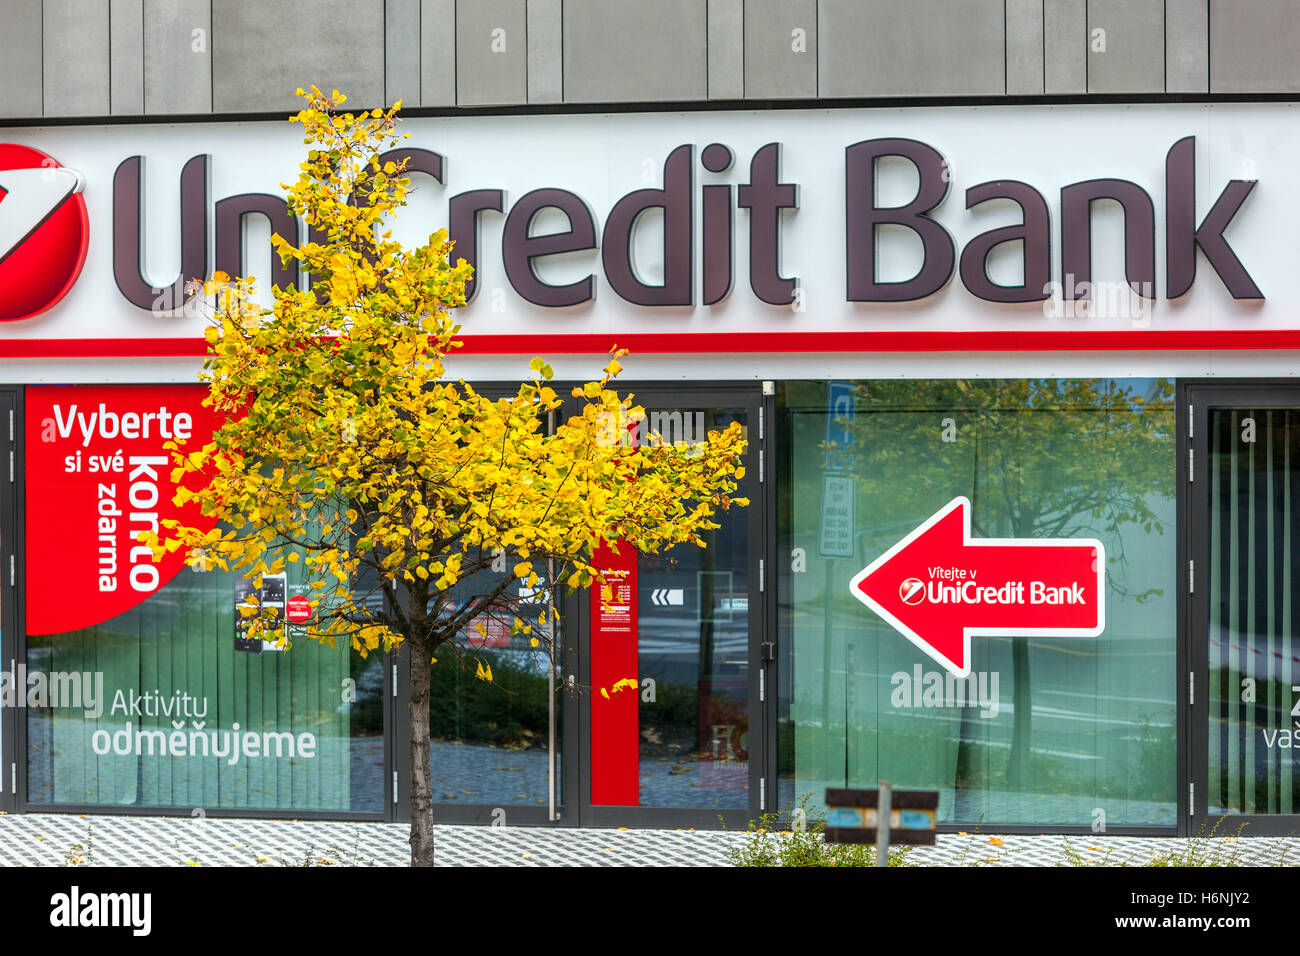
{"points": [[938, 589]]}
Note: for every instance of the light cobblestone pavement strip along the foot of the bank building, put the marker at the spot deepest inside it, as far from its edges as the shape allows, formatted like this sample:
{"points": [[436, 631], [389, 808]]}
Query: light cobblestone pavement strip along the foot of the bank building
{"points": [[102, 841]]}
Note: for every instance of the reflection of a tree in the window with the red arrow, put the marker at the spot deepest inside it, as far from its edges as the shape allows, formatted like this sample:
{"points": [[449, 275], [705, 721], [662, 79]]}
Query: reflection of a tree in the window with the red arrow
{"points": [[1038, 458]]}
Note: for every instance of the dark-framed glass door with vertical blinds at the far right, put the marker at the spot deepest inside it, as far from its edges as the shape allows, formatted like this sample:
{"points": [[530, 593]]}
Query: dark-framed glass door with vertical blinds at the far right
{"points": [[1245, 589]]}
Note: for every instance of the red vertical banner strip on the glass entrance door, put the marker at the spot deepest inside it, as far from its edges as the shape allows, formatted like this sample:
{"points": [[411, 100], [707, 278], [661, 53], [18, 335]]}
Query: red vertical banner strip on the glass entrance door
{"points": [[616, 690]]}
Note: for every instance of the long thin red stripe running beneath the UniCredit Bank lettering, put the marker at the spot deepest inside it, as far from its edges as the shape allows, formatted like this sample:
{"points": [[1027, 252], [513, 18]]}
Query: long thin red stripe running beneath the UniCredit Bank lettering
{"points": [[730, 343]]}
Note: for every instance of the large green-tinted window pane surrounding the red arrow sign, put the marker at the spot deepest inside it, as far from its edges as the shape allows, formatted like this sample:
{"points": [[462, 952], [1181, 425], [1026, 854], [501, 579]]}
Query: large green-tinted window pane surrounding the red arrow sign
{"points": [[1046, 730]]}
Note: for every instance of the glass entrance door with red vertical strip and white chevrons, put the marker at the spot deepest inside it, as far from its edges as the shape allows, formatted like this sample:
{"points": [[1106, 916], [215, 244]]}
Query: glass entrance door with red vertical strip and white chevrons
{"points": [[684, 746]]}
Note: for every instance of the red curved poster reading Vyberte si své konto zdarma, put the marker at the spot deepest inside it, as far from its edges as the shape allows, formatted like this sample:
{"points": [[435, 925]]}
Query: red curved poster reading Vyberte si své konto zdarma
{"points": [[97, 475]]}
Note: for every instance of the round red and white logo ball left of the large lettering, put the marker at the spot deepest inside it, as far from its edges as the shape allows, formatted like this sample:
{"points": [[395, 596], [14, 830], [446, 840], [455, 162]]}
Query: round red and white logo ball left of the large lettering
{"points": [[44, 232]]}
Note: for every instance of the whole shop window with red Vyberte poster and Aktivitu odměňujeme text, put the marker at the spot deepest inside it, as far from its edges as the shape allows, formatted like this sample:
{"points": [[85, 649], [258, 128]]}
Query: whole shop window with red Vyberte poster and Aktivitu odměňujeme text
{"points": [[150, 691]]}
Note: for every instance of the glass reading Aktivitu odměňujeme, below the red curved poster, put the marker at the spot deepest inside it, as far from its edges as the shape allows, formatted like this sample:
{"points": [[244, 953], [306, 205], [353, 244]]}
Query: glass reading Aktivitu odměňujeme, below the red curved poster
{"points": [[175, 708]]}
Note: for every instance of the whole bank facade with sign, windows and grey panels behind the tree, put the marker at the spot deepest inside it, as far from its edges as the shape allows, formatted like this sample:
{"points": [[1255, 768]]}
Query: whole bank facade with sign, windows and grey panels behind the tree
{"points": [[1013, 341]]}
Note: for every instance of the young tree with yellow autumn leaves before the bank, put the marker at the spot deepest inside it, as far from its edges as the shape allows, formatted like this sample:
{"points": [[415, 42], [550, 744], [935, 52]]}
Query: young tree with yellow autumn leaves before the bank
{"points": [[343, 445]]}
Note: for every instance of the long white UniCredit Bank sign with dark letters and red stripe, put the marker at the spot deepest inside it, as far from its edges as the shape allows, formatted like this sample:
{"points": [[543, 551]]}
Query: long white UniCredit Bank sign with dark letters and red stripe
{"points": [[811, 231]]}
